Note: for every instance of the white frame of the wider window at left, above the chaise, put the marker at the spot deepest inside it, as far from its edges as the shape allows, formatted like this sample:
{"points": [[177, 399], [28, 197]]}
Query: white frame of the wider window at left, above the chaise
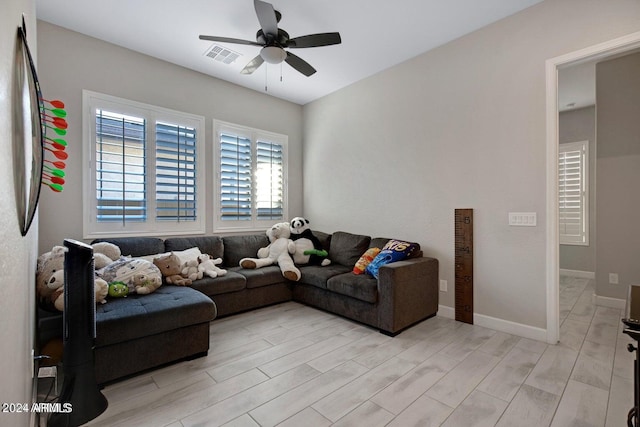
{"points": [[91, 102]]}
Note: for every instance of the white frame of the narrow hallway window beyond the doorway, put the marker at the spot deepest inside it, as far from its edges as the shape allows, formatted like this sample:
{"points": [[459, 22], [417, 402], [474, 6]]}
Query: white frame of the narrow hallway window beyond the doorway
{"points": [[581, 238]]}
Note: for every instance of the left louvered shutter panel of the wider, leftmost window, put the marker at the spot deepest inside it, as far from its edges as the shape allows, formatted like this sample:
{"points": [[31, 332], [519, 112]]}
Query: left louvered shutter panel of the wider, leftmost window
{"points": [[120, 167]]}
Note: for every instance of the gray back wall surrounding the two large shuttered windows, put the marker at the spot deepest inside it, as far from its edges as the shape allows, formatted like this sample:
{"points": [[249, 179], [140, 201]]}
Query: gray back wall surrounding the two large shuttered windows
{"points": [[88, 63]]}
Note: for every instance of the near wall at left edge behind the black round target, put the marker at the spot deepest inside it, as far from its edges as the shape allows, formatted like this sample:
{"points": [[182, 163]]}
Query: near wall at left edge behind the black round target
{"points": [[18, 254]]}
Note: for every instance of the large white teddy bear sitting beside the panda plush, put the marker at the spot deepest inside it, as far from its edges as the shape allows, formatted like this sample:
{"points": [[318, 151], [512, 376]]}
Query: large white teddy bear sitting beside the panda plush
{"points": [[279, 252]]}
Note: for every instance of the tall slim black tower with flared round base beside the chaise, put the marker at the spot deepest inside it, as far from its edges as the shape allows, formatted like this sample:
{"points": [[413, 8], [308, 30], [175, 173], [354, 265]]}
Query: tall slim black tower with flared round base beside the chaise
{"points": [[79, 388]]}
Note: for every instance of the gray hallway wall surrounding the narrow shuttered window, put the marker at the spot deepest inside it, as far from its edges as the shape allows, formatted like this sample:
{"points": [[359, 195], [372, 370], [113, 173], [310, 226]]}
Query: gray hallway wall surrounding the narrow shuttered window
{"points": [[580, 125]]}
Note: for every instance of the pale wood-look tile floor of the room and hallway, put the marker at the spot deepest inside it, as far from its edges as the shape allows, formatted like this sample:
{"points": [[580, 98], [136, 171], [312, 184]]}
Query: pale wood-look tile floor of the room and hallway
{"points": [[292, 365]]}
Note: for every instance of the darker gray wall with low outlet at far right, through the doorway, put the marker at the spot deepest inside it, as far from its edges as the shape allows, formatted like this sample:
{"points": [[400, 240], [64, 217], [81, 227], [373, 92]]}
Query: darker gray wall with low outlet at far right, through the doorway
{"points": [[618, 174]]}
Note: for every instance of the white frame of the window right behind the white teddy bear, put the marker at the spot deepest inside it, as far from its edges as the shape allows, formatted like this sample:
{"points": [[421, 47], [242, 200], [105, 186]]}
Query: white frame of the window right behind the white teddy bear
{"points": [[253, 135]]}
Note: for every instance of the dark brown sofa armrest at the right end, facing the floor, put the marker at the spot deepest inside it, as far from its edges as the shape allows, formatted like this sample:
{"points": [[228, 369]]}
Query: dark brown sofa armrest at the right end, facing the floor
{"points": [[408, 293]]}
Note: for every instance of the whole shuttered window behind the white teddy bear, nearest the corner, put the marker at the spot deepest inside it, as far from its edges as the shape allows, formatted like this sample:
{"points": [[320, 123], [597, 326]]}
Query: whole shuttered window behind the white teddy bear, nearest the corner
{"points": [[250, 178]]}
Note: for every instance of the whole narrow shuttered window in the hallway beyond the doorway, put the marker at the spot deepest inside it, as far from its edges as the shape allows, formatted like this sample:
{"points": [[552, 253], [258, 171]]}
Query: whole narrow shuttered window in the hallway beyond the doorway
{"points": [[573, 193]]}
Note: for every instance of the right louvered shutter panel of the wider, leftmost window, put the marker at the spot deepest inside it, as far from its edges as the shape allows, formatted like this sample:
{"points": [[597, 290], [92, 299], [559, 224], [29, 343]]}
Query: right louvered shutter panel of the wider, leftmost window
{"points": [[175, 172]]}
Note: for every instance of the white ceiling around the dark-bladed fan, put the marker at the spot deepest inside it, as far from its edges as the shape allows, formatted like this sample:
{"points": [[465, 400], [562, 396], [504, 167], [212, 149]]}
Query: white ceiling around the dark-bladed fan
{"points": [[376, 34]]}
